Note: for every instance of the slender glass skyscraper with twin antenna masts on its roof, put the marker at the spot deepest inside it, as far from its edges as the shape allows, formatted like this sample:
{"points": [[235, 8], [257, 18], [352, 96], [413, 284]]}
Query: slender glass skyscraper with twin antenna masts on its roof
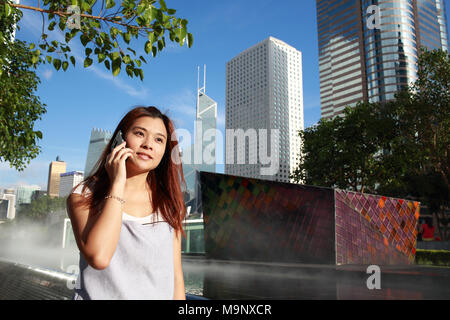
{"points": [[201, 155]]}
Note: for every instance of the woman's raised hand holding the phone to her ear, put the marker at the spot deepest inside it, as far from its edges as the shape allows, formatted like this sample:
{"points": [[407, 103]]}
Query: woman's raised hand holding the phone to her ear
{"points": [[115, 164]]}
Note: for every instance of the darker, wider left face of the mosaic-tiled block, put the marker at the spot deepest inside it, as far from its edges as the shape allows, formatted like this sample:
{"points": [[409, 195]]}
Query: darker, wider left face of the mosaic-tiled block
{"points": [[250, 219]]}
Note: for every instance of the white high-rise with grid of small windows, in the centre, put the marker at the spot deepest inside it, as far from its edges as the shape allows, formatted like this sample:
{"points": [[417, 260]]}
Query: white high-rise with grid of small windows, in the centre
{"points": [[264, 90]]}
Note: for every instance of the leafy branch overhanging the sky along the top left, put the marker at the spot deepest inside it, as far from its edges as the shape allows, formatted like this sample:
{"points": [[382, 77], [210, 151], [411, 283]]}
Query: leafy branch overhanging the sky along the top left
{"points": [[107, 31]]}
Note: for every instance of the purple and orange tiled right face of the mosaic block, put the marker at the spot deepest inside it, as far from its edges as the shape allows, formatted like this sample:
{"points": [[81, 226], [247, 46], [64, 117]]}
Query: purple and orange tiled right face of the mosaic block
{"points": [[374, 229]]}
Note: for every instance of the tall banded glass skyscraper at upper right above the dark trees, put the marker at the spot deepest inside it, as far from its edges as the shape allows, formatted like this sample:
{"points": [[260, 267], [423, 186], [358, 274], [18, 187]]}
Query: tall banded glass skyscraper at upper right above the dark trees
{"points": [[368, 49]]}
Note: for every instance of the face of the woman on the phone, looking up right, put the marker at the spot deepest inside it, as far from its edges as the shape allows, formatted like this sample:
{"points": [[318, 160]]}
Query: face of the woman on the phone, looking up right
{"points": [[147, 137]]}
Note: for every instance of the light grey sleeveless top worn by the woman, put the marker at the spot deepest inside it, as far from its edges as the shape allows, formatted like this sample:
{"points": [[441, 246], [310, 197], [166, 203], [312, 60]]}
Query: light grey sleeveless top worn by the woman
{"points": [[140, 269]]}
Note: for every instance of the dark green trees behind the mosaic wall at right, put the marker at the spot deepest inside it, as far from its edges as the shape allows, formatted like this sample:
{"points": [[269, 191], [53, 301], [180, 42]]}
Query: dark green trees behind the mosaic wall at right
{"points": [[398, 148]]}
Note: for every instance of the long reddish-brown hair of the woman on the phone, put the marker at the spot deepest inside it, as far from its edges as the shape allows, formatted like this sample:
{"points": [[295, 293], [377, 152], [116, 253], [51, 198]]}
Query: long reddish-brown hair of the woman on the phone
{"points": [[166, 180]]}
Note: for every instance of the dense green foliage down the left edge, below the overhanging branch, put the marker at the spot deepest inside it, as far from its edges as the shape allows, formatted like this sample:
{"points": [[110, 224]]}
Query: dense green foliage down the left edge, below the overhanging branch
{"points": [[19, 106]]}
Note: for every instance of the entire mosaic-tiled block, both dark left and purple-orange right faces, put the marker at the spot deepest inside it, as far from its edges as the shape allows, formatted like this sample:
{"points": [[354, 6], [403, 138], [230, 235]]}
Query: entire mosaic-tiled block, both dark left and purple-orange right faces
{"points": [[257, 220]]}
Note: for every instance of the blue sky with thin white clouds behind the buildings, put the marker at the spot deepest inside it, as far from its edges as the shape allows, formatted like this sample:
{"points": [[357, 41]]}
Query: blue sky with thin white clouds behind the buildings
{"points": [[80, 99]]}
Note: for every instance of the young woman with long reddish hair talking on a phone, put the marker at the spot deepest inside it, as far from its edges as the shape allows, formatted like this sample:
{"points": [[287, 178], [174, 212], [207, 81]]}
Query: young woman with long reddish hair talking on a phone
{"points": [[127, 216]]}
